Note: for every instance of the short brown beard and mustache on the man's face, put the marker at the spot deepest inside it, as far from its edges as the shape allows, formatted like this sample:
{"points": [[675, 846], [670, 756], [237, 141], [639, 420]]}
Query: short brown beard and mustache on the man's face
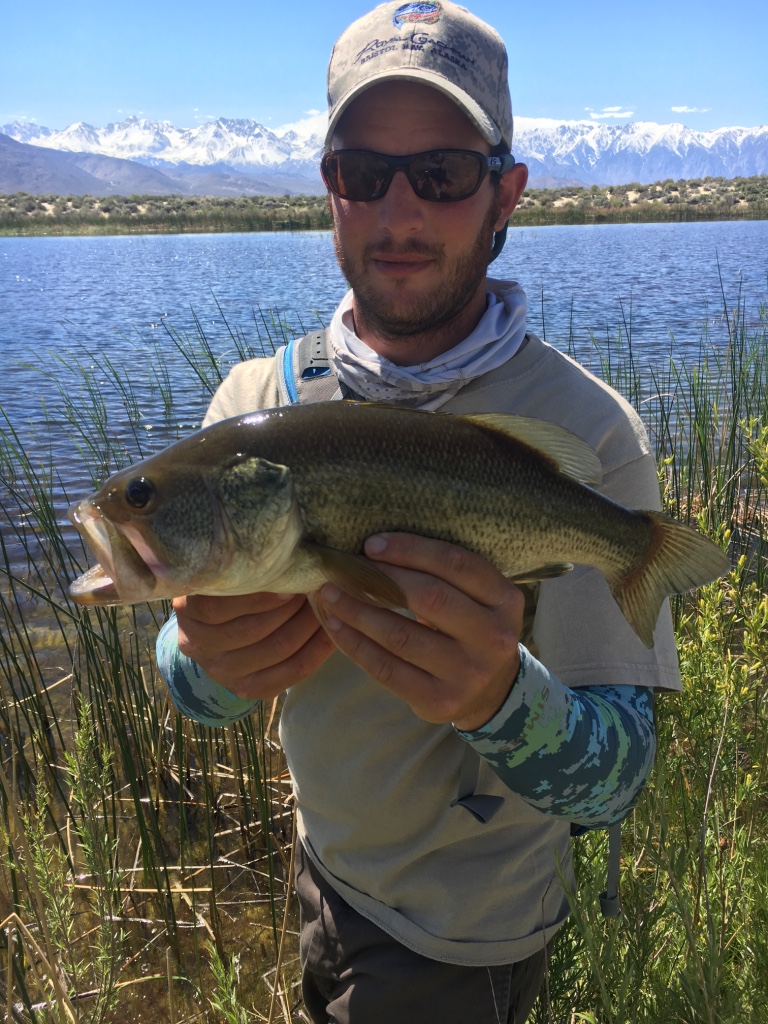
{"points": [[399, 318]]}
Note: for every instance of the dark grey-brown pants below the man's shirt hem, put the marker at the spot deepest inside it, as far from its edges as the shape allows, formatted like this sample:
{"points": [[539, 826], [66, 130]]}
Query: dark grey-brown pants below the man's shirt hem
{"points": [[355, 973]]}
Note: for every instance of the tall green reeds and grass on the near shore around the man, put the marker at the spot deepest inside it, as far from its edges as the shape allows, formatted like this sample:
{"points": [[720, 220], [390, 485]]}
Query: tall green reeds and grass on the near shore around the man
{"points": [[146, 861]]}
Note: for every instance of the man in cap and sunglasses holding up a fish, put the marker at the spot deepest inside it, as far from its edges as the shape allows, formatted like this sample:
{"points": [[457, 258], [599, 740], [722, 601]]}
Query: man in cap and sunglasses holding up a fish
{"points": [[439, 760]]}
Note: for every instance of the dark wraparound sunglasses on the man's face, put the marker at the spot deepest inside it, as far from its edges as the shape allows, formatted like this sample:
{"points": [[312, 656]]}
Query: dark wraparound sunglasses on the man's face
{"points": [[440, 177]]}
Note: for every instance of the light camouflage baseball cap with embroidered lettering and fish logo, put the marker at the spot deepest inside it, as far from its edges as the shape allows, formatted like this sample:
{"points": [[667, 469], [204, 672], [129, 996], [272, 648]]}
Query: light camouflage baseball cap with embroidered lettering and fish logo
{"points": [[436, 42]]}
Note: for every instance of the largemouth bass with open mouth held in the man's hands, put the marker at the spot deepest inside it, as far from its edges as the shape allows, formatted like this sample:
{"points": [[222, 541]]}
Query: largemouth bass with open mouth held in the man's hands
{"points": [[283, 501]]}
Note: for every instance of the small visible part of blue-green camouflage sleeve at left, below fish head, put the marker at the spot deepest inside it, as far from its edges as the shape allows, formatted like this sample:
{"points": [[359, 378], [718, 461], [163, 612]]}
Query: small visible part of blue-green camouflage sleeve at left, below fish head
{"points": [[194, 693]]}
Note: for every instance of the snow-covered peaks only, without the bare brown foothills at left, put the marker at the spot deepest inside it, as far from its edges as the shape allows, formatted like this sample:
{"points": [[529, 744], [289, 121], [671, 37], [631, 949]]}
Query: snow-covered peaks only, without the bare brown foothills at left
{"points": [[286, 158]]}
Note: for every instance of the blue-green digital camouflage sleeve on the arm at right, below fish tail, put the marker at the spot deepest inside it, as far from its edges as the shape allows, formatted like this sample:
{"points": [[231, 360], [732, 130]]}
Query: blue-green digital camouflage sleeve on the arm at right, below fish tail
{"points": [[581, 754]]}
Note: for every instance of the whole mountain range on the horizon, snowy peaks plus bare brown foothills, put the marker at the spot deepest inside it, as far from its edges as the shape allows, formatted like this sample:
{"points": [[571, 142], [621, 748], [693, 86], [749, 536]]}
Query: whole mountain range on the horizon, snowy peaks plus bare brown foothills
{"points": [[229, 157]]}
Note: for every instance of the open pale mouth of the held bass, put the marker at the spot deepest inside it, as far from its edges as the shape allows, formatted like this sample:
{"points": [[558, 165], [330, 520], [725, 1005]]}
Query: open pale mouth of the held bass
{"points": [[118, 561]]}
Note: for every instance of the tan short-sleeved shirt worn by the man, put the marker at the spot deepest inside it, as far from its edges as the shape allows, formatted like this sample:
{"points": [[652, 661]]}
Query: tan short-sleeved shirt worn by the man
{"points": [[375, 784]]}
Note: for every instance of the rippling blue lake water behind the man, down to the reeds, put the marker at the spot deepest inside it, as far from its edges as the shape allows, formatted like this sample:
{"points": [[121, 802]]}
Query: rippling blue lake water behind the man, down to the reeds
{"points": [[81, 302]]}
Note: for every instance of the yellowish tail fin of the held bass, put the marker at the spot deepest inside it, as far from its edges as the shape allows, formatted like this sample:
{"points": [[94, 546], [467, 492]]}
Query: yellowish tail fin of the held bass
{"points": [[681, 561]]}
